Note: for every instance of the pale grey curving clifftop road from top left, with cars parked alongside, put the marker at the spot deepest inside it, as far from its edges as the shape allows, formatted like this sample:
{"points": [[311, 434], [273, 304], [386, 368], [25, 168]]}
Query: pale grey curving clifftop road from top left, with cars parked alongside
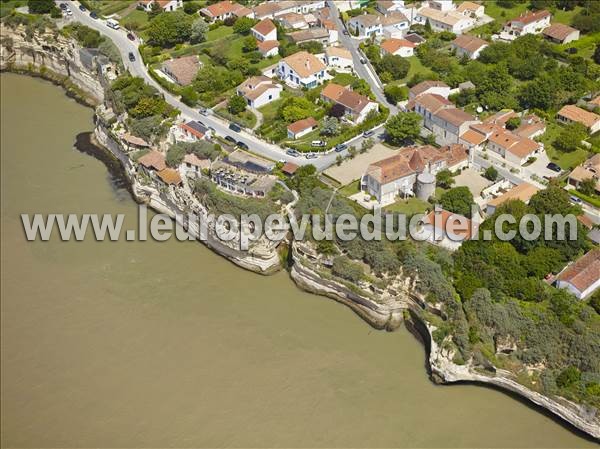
{"points": [[221, 127]]}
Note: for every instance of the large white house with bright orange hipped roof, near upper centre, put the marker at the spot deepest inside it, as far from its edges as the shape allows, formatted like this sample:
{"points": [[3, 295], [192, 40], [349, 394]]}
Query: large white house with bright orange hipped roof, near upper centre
{"points": [[301, 69]]}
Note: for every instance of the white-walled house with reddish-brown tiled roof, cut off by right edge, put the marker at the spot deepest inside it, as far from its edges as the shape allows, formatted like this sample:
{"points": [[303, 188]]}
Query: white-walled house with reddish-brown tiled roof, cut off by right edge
{"points": [[582, 276]]}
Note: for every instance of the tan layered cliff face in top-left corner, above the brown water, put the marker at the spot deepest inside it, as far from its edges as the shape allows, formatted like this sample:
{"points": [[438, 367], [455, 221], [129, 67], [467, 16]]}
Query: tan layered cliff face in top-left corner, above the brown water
{"points": [[52, 56]]}
